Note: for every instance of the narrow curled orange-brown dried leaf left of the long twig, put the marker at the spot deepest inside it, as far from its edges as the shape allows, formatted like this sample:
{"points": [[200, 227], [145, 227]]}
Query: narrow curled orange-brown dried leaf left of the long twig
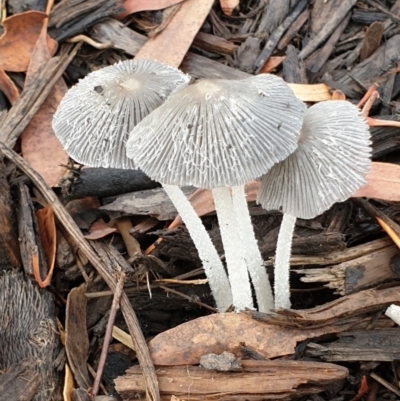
{"points": [[47, 232]]}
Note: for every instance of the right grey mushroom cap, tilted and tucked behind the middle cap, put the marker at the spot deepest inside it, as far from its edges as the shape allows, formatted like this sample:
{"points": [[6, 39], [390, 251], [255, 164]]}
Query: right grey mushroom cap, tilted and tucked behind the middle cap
{"points": [[329, 165]]}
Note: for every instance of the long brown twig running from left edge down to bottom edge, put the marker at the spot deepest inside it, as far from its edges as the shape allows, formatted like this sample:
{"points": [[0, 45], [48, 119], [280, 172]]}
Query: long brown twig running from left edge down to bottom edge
{"points": [[149, 373]]}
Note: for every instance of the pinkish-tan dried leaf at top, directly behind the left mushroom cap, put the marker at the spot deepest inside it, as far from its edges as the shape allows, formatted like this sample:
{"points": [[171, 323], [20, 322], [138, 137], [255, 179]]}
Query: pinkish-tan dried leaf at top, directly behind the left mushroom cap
{"points": [[172, 44]]}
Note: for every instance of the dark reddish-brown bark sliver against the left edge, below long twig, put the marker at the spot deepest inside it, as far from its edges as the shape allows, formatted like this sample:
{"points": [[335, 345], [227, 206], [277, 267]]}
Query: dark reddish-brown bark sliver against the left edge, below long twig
{"points": [[9, 247]]}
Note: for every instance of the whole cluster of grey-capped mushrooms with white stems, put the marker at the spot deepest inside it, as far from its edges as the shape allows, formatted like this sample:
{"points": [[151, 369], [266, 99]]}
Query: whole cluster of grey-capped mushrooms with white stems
{"points": [[220, 134]]}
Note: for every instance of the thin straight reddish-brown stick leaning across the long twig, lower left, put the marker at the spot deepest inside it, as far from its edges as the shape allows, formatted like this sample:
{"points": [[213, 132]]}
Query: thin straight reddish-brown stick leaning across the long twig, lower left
{"points": [[108, 335]]}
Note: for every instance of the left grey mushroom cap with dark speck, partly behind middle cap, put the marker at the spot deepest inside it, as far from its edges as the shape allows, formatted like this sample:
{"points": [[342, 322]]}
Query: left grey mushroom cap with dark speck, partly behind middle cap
{"points": [[95, 117]]}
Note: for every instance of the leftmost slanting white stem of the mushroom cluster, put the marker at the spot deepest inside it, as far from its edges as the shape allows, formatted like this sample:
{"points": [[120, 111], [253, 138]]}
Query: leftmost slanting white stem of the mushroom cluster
{"points": [[213, 267]]}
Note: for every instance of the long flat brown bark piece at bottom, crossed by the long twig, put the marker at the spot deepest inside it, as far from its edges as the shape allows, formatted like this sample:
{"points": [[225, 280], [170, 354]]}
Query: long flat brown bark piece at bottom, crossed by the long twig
{"points": [[259, 380]]}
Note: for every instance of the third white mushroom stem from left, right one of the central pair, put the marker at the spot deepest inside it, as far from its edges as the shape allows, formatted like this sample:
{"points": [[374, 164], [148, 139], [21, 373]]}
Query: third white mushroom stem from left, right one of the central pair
{"points": [[251, 252]]}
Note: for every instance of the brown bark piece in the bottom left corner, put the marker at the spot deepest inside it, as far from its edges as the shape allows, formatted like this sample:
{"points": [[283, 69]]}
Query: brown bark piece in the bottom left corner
{"points": [[20, 381]]}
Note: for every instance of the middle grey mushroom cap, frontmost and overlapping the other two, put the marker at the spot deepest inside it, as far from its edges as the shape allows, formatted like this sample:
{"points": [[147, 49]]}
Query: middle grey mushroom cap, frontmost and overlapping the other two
{"points": [[218, 133]]}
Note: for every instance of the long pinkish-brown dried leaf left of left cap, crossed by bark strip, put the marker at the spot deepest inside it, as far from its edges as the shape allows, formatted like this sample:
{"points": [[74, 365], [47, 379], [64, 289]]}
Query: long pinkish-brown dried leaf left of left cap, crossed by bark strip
{"points": [[40, 147]]}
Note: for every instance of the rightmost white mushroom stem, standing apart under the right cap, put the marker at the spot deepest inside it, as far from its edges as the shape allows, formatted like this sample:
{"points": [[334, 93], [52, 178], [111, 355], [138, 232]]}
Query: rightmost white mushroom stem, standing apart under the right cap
{"points": [[282, 258]]}
